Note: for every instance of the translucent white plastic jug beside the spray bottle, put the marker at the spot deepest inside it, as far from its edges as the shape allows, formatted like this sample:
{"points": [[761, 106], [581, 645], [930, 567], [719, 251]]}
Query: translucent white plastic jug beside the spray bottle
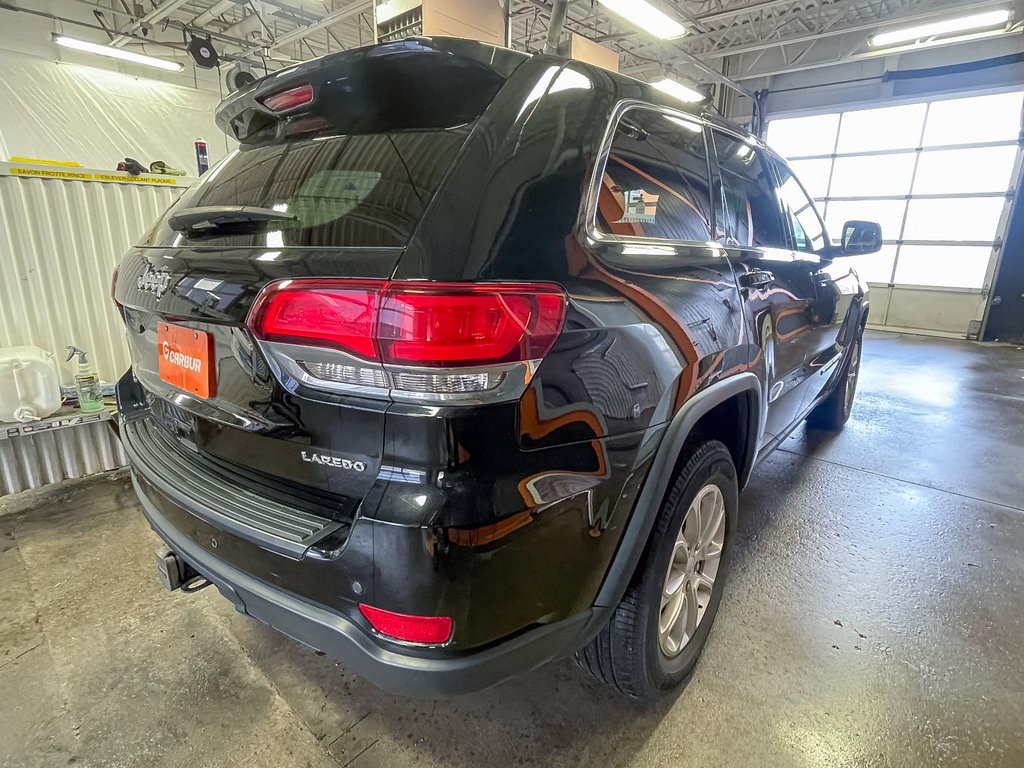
{"points": [[30, 385]]}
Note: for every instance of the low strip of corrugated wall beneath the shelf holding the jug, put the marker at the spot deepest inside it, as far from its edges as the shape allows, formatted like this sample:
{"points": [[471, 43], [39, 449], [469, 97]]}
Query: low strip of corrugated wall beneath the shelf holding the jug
{"points": [[32, 461]]}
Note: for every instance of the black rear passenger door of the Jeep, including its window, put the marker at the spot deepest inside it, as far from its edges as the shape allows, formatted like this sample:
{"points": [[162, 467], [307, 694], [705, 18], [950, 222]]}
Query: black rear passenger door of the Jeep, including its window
{"points": [[777, 284]]}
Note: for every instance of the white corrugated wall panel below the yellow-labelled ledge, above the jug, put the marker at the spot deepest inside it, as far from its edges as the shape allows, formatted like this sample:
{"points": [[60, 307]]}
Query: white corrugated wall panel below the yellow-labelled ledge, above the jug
{"points": [[60, 242]]}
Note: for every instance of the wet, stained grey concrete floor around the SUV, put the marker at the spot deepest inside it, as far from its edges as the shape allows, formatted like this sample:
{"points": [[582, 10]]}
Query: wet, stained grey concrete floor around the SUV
{"points": [[874, 618]]}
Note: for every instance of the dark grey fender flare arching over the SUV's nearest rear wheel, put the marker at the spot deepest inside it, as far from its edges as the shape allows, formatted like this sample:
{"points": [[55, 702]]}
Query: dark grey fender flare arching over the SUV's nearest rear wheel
{"points": [[656, 486]]}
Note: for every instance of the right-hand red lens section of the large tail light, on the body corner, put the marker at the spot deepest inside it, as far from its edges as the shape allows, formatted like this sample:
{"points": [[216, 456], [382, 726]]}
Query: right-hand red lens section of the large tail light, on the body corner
{"points": [[445, 325]]}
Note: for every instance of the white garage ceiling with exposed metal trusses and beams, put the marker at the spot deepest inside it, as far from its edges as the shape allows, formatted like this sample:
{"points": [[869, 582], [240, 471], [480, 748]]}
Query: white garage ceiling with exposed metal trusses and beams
{"points": [[742, 38]]}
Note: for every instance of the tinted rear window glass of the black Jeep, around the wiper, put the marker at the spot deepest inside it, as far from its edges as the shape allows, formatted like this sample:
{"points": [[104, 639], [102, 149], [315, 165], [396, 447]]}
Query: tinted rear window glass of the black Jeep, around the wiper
{"points": [[359, 191]]}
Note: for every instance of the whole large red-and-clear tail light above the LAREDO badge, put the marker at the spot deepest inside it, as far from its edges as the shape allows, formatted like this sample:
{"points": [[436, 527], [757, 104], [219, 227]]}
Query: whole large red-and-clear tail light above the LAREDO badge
{"points": [[420, 339]]}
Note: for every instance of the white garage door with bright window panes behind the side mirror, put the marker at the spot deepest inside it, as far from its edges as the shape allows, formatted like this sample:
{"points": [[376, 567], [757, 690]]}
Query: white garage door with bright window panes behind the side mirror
{"points": [[938, 177]]}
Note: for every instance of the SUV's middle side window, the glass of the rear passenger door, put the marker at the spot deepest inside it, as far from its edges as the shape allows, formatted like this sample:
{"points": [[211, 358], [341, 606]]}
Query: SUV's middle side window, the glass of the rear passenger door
{"points": [[747, 211]]}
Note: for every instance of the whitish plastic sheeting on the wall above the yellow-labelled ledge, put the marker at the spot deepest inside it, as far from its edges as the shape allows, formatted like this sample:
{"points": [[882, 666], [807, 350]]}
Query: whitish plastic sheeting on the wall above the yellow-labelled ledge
{"points": [[97, 118]]}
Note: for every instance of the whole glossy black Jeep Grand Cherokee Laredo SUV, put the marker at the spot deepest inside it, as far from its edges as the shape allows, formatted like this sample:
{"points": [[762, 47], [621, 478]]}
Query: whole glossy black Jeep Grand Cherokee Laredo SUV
{"points": [[458, 365]]}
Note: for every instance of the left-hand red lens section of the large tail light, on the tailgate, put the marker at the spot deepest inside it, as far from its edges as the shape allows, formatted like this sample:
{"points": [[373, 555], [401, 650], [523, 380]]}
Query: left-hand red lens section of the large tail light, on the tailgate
{"points": [[332, 314]]}
